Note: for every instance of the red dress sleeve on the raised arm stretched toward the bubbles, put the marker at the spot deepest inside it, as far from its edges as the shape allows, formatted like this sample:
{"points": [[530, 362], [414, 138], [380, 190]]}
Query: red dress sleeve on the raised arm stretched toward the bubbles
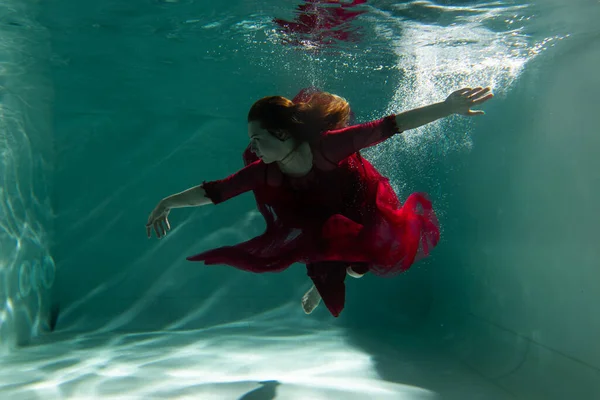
{"points": [[339, 144]]}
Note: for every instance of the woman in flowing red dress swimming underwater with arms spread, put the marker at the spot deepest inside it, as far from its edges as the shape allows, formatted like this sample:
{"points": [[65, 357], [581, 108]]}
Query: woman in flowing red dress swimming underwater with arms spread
{"points": [[324, 205]]}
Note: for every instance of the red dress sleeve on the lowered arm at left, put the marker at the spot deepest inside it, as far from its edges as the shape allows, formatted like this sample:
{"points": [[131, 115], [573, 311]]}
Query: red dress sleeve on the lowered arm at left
{"points": [[244, 180]]}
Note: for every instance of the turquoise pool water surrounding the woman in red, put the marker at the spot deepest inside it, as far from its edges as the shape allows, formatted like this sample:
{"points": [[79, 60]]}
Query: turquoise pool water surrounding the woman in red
{"points": [[108, 107]]}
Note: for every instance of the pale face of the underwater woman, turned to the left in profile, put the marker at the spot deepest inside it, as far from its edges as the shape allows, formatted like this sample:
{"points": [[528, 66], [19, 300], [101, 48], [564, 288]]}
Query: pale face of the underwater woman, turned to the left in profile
{"points": [[266, 145]]}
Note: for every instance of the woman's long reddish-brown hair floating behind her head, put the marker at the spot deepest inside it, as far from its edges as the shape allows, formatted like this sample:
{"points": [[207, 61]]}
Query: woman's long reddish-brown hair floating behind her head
{"points": [[305, 120]]}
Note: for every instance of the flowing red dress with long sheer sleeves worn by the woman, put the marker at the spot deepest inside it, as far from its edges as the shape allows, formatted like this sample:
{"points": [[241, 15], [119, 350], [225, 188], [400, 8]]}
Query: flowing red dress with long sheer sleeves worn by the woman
{"points": [[344, 212]]}
